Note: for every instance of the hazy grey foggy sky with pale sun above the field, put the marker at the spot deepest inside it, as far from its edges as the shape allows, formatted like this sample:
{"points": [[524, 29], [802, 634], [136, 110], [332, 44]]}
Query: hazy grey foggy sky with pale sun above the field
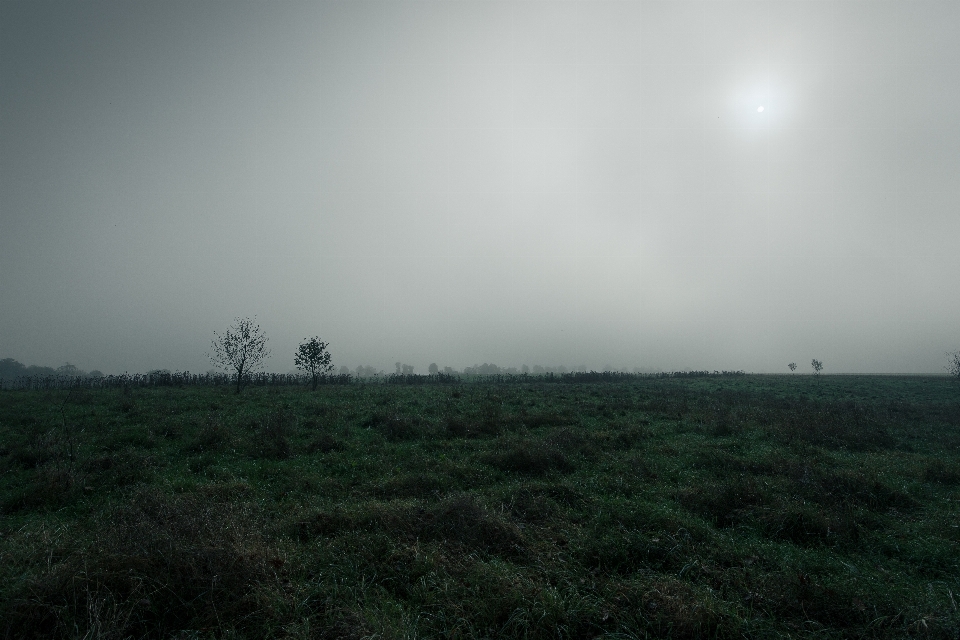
{"points": [[584, 183]]}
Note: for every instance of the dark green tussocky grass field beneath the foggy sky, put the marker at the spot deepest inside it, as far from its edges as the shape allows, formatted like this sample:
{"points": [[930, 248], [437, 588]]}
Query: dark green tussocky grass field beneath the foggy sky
{"points": [[722, 507]]}
